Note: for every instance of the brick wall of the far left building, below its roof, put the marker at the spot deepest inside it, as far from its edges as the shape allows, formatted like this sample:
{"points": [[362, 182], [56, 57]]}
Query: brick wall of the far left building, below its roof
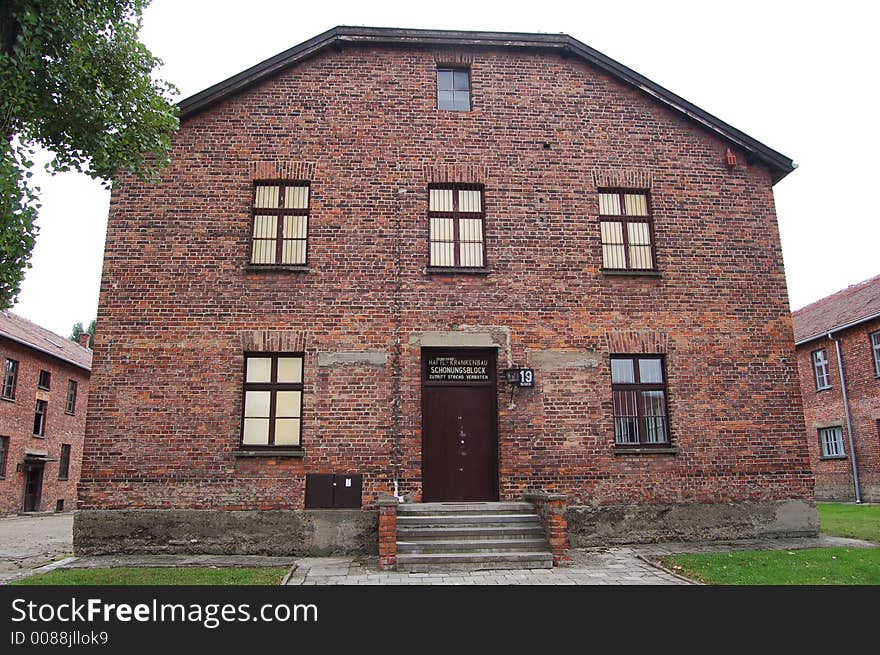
{"points": [[17, 423]]}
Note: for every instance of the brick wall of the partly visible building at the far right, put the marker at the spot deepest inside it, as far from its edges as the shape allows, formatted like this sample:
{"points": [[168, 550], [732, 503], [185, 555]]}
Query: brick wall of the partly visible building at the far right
{"points": [[825, 408]]}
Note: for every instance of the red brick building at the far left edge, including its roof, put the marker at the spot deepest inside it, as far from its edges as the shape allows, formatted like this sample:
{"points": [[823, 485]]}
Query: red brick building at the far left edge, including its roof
{"points": [[43, 397]]}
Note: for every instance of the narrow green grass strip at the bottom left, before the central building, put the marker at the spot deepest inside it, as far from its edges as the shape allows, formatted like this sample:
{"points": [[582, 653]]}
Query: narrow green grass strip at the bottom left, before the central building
{"points": [[159, 576]]}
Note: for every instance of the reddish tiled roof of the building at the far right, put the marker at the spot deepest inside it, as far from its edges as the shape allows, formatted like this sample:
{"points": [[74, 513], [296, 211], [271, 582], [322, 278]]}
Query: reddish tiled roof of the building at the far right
{"points": [[854, 305]]}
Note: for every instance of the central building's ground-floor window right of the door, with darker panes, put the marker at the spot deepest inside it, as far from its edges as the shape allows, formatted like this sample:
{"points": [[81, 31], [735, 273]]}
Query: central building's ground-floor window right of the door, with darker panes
{"points": [[638, 389]]}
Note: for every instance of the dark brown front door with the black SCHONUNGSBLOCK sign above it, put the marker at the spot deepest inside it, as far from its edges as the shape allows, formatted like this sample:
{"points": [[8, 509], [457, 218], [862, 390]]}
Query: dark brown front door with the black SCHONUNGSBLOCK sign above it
{"points": [[459, 425]]}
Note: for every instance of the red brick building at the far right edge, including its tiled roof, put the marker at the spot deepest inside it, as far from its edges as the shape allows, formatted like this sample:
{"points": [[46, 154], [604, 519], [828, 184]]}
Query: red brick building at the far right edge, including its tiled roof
{"points": [[840, 335]]}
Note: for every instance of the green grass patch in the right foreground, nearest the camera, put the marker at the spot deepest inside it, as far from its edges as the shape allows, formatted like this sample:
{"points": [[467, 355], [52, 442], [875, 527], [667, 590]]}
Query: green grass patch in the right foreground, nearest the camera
{"points": [[813, 566]]}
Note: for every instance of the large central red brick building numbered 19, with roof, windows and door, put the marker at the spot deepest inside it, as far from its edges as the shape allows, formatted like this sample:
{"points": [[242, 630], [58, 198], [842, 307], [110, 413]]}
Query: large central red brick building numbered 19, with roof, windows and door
{"points": [[360, 239]]}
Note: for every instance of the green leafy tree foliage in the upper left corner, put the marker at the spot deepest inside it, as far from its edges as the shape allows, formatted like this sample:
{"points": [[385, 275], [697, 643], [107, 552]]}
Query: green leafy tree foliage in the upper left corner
{"points": [[74, 79]]}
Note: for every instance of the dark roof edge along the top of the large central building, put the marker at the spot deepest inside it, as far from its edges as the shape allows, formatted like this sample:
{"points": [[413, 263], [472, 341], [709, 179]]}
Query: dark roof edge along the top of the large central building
{"points": [[779, 164]]}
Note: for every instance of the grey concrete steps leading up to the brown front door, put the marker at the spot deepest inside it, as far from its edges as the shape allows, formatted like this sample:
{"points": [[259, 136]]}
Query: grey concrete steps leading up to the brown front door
{"points": [[470, 536]]}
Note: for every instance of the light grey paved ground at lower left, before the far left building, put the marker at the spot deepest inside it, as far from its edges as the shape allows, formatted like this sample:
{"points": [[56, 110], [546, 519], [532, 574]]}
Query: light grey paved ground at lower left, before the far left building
{"points": [[33, 540]]}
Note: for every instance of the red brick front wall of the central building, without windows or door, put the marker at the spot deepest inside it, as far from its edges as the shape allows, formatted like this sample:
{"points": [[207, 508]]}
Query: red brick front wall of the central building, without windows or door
{"points": [[179, 304]]}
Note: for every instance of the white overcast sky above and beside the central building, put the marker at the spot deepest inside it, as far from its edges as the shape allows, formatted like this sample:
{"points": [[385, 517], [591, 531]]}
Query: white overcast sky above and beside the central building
{"points": [[798, 76]]}
